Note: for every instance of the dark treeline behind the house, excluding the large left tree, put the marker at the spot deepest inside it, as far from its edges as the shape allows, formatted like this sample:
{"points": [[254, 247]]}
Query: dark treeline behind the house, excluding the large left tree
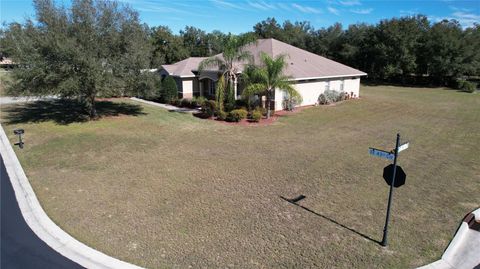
{"points": [[409, 49]]}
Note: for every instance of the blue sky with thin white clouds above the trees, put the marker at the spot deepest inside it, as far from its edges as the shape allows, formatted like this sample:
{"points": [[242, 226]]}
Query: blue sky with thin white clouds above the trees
{"points": [[241, 15]]}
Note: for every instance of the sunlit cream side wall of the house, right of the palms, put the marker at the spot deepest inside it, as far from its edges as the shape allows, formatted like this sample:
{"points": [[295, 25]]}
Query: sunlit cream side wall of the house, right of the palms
{"points": [[311, 89]]}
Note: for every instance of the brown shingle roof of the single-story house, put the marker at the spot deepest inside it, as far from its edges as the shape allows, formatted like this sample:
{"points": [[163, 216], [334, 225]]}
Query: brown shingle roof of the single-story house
{"points": [[301, 63]]}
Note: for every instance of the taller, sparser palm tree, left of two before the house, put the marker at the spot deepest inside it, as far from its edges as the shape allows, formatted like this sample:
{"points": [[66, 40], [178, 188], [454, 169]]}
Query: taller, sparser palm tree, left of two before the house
{"points": [[228, 64]]}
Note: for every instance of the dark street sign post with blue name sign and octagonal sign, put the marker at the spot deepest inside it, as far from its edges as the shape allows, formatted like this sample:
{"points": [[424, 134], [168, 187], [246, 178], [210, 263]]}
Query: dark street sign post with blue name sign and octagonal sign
{"points": [[393, 175]]}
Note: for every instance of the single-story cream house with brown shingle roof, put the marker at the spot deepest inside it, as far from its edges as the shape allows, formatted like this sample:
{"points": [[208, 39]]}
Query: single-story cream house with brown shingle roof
{"points": [[311, 74]]}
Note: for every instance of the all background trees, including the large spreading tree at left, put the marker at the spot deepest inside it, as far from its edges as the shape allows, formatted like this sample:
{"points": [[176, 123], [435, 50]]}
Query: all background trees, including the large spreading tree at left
{"points": [[101, 48]]}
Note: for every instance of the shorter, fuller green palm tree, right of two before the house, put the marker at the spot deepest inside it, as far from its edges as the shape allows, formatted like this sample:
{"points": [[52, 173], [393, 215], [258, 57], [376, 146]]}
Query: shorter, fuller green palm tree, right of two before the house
{"points": [[269, 76]]}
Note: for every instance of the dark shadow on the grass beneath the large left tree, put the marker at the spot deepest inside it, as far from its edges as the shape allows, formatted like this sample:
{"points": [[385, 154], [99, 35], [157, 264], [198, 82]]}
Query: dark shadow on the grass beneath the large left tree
{"points": [[66, 111]]}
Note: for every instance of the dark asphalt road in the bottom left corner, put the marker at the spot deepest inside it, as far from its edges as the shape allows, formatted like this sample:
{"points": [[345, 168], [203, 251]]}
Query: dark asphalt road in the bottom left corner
{"points": [[20, 246]]}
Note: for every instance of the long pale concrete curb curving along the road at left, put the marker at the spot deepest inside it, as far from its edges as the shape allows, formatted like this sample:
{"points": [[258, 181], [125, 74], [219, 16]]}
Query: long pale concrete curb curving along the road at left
{"points": [[42, 225]]}
